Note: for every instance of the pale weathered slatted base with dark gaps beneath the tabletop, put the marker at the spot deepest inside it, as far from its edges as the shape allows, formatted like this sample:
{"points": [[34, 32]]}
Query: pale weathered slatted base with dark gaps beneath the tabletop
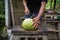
{"points": [[29, 37]]}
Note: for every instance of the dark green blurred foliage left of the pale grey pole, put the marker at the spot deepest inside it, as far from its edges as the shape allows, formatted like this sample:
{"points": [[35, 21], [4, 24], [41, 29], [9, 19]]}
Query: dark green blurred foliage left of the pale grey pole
{"points": [[2, 15]]}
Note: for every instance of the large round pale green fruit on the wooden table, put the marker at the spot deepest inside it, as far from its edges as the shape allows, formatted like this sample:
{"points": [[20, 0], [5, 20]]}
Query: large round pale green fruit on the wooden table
{"points": [[27, 24]]}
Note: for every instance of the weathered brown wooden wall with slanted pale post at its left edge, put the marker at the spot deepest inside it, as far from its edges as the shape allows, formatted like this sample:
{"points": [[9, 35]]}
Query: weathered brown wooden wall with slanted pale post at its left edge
{"points": [[17, 11]]}
